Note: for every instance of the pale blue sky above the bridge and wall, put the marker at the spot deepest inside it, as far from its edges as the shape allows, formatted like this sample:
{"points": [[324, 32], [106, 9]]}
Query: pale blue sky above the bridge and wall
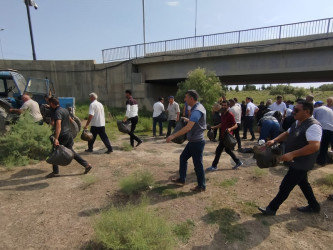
{"points": [[81, 29]]}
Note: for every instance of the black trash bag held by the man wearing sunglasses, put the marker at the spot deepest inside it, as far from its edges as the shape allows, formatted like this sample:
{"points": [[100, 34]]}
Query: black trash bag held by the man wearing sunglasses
{"points": [[267, 157]]}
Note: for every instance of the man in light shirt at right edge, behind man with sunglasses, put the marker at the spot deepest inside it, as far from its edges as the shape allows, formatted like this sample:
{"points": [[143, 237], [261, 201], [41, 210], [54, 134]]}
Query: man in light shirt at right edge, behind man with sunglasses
{"points": [[324, 115]]}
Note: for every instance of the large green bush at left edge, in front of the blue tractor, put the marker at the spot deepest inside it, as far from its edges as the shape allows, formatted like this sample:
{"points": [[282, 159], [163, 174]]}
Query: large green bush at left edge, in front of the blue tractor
{"points": [[25, 142]]}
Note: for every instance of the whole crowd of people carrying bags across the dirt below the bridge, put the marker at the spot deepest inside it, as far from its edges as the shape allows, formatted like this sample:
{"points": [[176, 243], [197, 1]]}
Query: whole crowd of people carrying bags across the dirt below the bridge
{"points": [[307, 135]]}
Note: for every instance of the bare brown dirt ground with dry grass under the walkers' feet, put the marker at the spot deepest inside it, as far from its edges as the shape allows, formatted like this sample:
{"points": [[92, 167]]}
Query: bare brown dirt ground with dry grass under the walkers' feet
{"points": [[59, 213]]}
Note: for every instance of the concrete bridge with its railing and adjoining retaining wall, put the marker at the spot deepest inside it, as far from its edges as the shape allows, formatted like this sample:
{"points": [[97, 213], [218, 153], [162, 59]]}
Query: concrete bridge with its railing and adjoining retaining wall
{"points": [[304, 57]]}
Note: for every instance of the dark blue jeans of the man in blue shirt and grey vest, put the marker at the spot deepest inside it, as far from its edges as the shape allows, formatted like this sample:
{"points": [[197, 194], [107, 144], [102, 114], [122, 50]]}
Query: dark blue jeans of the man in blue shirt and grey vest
{"points": [[194, 150]]}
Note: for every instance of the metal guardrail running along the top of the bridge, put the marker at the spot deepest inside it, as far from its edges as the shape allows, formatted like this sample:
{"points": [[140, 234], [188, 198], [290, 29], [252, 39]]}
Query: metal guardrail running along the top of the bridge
{"points": [[234, 39]]}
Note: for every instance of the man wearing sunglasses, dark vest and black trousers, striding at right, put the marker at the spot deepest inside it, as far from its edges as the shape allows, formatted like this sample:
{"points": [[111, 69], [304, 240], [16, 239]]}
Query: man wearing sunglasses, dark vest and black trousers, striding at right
{"points": [[302, 146]]}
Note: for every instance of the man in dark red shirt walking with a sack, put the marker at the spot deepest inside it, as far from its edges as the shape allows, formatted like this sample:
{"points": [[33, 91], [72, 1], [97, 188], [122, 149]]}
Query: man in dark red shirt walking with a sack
{"points": [[227, 123]]}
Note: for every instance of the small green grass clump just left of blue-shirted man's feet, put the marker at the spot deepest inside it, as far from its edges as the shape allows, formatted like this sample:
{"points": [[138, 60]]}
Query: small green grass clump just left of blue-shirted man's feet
{"points": [[136, 182]]}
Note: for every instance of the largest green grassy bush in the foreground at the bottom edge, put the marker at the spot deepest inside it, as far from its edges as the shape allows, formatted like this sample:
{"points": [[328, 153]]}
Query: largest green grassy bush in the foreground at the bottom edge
{"points": [[133, 227]]}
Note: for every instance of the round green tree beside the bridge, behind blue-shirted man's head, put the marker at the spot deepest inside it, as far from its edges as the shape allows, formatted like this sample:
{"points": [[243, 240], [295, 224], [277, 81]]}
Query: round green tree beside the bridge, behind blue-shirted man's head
{"points": [[206, 83]]}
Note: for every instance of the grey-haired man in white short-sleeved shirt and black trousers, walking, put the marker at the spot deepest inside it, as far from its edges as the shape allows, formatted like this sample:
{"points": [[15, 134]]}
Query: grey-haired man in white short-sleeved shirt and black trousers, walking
{"points": [[96, 120]]}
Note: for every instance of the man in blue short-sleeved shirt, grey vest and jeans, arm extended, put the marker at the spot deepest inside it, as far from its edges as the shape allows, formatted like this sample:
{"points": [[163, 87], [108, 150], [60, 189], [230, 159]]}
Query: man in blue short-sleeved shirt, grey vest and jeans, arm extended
{"points": [[194, 130]]}
